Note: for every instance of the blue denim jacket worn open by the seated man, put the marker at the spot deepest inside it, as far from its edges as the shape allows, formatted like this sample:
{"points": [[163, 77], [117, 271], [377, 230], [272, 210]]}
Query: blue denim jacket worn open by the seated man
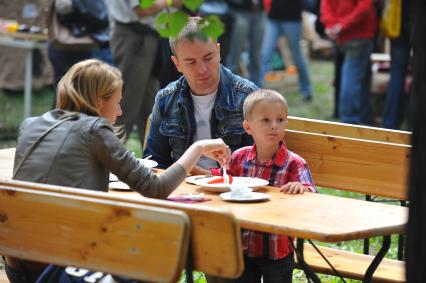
{"points": [[173, 123]]}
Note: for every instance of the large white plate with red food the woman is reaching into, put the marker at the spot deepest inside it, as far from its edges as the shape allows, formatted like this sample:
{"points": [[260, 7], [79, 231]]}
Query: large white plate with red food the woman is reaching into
{"points": [[253, 183]]}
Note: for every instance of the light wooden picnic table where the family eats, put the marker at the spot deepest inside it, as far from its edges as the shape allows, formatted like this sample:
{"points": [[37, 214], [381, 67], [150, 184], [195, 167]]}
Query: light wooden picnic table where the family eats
{"points": [[312, 216]]}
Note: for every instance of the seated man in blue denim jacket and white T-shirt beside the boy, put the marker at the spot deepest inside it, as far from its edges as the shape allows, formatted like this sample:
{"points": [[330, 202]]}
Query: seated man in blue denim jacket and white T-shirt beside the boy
{"points": [[206, 102]]}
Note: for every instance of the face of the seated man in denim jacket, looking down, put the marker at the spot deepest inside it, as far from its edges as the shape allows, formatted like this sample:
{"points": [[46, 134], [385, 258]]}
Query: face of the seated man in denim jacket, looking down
{"points": [[199, 62]]}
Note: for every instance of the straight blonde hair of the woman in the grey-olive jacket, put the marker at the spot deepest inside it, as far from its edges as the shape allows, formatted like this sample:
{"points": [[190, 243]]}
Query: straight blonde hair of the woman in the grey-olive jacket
{"points": [[85, 83]]}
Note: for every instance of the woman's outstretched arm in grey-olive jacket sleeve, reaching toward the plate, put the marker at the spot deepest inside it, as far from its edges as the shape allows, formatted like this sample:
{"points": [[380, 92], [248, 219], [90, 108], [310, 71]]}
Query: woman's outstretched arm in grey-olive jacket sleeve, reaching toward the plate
{"points": [[113, 155]]}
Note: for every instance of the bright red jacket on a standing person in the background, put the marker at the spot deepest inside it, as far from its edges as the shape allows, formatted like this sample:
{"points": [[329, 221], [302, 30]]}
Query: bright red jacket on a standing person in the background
{"points": [[358, 18]]}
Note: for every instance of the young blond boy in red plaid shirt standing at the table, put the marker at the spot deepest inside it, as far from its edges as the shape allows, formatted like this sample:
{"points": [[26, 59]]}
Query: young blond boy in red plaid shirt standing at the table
{"points": [[265, 119]]}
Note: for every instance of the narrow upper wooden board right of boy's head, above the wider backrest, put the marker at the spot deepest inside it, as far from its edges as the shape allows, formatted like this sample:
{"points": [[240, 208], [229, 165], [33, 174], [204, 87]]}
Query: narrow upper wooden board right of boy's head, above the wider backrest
{"points": [[348, 130]]}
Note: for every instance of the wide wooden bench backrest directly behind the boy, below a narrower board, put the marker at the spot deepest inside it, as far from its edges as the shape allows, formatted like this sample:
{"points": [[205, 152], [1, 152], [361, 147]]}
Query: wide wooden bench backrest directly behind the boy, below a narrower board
{"points": [[368, 167]]}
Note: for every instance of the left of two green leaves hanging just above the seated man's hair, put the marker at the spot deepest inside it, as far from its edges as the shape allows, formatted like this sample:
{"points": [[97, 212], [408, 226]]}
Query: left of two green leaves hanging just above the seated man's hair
{"points": [[170, 24]]}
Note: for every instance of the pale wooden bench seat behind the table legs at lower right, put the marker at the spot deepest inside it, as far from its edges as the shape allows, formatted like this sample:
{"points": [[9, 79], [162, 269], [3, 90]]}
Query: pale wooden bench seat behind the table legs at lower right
{"points": [[353, 265]]}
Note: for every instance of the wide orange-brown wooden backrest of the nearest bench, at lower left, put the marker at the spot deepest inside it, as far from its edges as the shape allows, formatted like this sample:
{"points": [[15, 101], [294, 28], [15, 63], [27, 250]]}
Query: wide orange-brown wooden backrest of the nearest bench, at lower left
{"points": [[142, 242]]}
